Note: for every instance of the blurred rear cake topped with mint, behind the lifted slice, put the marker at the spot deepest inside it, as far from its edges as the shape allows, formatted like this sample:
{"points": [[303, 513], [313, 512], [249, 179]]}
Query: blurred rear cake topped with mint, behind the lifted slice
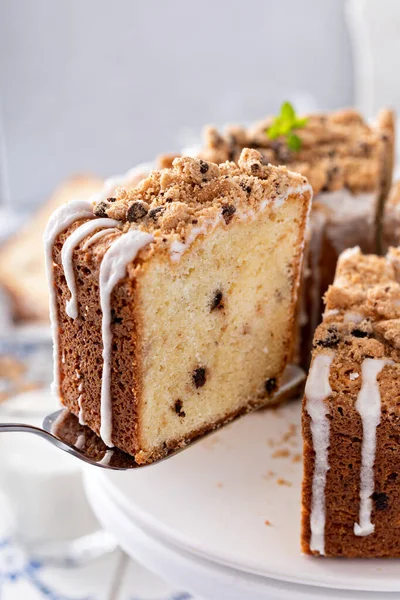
{"points": [[349, 164]]}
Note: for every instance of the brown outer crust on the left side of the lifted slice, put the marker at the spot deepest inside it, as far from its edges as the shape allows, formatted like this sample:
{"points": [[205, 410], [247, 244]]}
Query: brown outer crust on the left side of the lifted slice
{"points": [[81, 344]]}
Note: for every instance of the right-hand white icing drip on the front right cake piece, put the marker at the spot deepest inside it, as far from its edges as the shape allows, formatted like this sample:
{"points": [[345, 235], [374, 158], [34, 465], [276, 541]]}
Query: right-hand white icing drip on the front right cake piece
{"points": [[368, 405]]}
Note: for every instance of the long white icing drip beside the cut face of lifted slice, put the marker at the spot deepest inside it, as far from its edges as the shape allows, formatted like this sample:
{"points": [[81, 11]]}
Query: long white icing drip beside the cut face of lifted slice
{"points": [[112, 269]]}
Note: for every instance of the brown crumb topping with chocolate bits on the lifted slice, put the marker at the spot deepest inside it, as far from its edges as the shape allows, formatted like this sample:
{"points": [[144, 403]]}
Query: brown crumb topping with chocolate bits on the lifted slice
{"points": [[192, 192]]}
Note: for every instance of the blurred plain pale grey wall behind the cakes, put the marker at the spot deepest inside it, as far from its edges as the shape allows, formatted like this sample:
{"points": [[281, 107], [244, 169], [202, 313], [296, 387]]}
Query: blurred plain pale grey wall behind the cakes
{"points": [[94, 85]]}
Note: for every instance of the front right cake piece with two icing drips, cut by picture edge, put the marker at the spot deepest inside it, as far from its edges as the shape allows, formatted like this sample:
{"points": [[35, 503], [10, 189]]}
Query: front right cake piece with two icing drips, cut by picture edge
{"points": [[351, 414]]}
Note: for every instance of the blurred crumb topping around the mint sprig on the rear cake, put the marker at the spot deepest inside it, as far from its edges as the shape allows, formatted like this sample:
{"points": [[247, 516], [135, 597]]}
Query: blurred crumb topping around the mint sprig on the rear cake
{"points": [[339, 149]]}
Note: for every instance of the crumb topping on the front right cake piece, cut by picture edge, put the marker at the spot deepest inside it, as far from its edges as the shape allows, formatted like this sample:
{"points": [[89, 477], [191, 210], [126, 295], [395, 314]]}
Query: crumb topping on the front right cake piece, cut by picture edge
{"points": [[363, 307]]}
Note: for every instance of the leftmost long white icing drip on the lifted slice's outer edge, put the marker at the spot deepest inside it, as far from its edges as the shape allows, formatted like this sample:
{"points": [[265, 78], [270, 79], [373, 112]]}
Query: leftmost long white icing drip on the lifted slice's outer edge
{"points": [[62, 218]]}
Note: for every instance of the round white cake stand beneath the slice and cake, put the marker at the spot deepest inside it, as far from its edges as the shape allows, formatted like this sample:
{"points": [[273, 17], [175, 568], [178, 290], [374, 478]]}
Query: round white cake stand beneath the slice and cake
{"points": [[213, 500]]}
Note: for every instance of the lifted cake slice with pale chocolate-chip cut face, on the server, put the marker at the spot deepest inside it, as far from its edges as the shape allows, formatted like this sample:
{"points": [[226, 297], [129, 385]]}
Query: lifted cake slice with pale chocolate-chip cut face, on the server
{"points": [[172, 303]]}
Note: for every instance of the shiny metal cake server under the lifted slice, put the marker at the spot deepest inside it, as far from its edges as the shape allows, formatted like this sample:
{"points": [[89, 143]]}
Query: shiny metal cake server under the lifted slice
{"points": [[63, 430]]}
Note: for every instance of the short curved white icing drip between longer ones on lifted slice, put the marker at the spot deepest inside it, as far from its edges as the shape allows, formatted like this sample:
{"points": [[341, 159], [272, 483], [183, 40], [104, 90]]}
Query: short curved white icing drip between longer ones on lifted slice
{"points": [[69, 246]]}
